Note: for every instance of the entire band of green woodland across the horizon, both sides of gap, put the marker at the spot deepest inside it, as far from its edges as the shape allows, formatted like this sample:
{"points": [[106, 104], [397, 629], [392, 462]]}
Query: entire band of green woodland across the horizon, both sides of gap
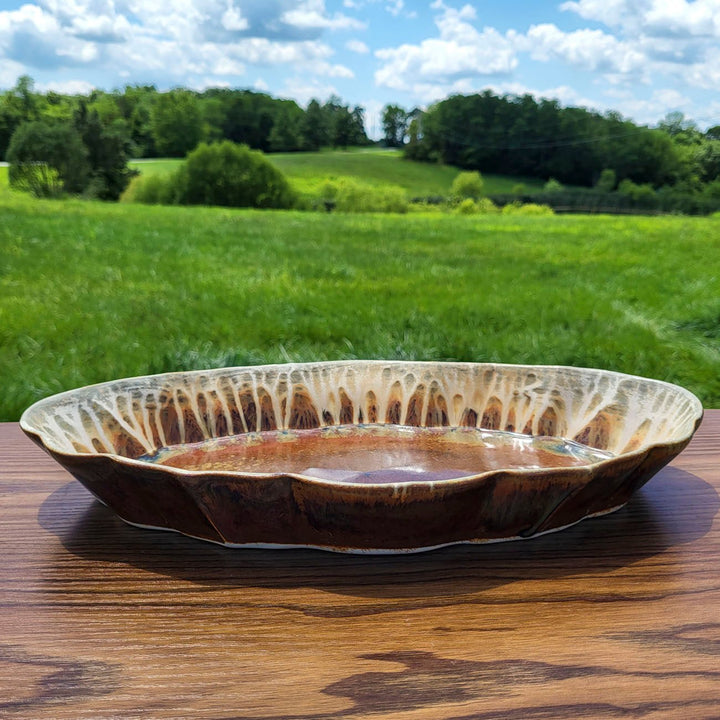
{"points": [[673, 166]]}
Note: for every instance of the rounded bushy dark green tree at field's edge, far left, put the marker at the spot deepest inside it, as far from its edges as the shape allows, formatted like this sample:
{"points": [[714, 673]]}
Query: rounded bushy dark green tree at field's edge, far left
{"points": [[47, 159]]}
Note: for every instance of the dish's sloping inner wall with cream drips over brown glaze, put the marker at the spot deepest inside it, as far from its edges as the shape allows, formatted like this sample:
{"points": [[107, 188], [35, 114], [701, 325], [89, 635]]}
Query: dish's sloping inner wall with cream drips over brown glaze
{"points": [[136, 417]]}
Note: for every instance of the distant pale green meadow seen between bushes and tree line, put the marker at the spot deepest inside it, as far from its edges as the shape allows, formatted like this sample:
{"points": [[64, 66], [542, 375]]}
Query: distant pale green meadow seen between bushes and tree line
{"points": [[386, 167]]}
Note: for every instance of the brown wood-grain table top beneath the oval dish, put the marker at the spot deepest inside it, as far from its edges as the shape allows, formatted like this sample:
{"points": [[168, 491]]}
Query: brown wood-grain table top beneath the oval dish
{"points": [[617, 617]]}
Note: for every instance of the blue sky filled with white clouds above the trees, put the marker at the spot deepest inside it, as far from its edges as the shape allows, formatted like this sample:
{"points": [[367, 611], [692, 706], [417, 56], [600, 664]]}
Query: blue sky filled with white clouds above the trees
{"points": [[642, 58]]}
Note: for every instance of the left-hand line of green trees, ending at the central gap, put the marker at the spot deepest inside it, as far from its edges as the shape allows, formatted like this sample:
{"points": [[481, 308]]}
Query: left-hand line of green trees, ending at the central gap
{"points": [[88, 139]]}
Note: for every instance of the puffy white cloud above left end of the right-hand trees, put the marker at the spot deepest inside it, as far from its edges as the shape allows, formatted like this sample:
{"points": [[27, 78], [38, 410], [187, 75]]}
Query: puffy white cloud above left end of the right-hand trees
{"points": [[460, 52]]}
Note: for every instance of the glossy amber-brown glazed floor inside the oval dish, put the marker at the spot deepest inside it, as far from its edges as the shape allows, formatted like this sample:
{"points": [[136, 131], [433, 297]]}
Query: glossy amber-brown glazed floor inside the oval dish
{"points": [[378, 454]]}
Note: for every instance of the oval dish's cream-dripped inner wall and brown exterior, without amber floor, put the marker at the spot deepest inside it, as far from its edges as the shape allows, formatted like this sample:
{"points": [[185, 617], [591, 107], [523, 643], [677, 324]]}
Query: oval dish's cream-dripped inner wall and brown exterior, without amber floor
{"points": [[98, 432]]}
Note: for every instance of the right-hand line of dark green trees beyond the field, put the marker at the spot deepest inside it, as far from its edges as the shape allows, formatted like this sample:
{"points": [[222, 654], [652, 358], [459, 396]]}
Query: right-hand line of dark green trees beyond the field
{"points": [[522, 136]]}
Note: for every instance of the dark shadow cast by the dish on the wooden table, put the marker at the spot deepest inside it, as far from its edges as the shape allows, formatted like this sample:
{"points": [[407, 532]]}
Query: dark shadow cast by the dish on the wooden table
{"points": [[675, 508]]}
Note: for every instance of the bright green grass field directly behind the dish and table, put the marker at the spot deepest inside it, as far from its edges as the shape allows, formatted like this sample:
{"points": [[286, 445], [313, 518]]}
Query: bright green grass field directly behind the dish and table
{"points": [[92, 291]]}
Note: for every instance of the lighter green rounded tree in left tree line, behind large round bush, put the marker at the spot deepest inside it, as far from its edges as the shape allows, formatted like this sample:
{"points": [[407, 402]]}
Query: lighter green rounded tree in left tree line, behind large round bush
{"points": [[177, 123]]}
